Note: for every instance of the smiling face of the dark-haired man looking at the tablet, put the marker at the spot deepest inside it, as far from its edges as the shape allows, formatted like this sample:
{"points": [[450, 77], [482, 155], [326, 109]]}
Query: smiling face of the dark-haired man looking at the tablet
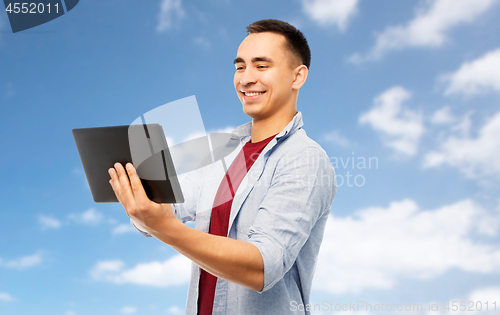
{"points": [[264, 75]]}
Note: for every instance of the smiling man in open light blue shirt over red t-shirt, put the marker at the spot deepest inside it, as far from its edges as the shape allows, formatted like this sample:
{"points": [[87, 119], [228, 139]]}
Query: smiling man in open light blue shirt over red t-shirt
{"points": [[259, 225]]}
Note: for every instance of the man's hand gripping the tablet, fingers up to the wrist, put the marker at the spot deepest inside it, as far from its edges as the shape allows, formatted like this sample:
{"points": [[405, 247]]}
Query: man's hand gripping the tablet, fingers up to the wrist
{"points": [[147, 215]]}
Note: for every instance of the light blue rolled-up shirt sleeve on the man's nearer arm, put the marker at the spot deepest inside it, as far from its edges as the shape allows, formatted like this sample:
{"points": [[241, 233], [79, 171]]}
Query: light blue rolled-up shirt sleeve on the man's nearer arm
{"points": [[302, 190]]}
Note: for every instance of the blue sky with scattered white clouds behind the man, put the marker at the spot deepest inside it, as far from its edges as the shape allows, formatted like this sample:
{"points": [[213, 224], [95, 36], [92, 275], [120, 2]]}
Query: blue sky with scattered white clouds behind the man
{"points": [[412, 86]]}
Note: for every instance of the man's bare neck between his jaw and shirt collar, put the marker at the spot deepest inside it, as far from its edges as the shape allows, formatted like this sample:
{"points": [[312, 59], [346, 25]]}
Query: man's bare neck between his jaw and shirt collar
{"points": [[264, 128]]}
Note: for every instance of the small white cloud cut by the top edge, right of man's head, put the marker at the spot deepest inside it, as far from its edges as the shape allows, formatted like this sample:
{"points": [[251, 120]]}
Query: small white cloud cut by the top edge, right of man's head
{"points": [[330, 12]]}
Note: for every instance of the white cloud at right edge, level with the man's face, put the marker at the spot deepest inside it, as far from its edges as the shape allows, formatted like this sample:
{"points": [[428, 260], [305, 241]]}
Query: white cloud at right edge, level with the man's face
{"points": [[478, 76]]}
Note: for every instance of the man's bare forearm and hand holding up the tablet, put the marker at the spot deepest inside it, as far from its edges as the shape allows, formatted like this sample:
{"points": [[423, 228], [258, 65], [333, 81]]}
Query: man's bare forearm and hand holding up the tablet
{"points": [[236, 261]]}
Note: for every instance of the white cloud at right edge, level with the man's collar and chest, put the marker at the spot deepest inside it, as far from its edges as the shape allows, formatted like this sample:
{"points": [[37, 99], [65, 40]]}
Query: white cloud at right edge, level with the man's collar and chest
{"points": [[475, 157]]}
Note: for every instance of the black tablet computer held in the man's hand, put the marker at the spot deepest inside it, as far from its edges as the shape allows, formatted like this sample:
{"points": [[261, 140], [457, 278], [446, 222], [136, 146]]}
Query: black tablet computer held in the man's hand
{"points": [[145, 146]]}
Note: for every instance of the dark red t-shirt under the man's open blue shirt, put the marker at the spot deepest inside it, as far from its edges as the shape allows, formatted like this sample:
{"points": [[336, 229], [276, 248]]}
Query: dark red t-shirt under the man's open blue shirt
{"points": [[219, 221]]}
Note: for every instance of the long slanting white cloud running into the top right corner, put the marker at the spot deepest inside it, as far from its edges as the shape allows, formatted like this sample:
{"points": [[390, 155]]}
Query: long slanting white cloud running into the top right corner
{"points": [[429, 28]]}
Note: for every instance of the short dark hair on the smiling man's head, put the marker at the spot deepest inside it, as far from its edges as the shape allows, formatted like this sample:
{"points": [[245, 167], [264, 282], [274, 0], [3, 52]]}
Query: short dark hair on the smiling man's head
{"points": [[295, 40]]}
